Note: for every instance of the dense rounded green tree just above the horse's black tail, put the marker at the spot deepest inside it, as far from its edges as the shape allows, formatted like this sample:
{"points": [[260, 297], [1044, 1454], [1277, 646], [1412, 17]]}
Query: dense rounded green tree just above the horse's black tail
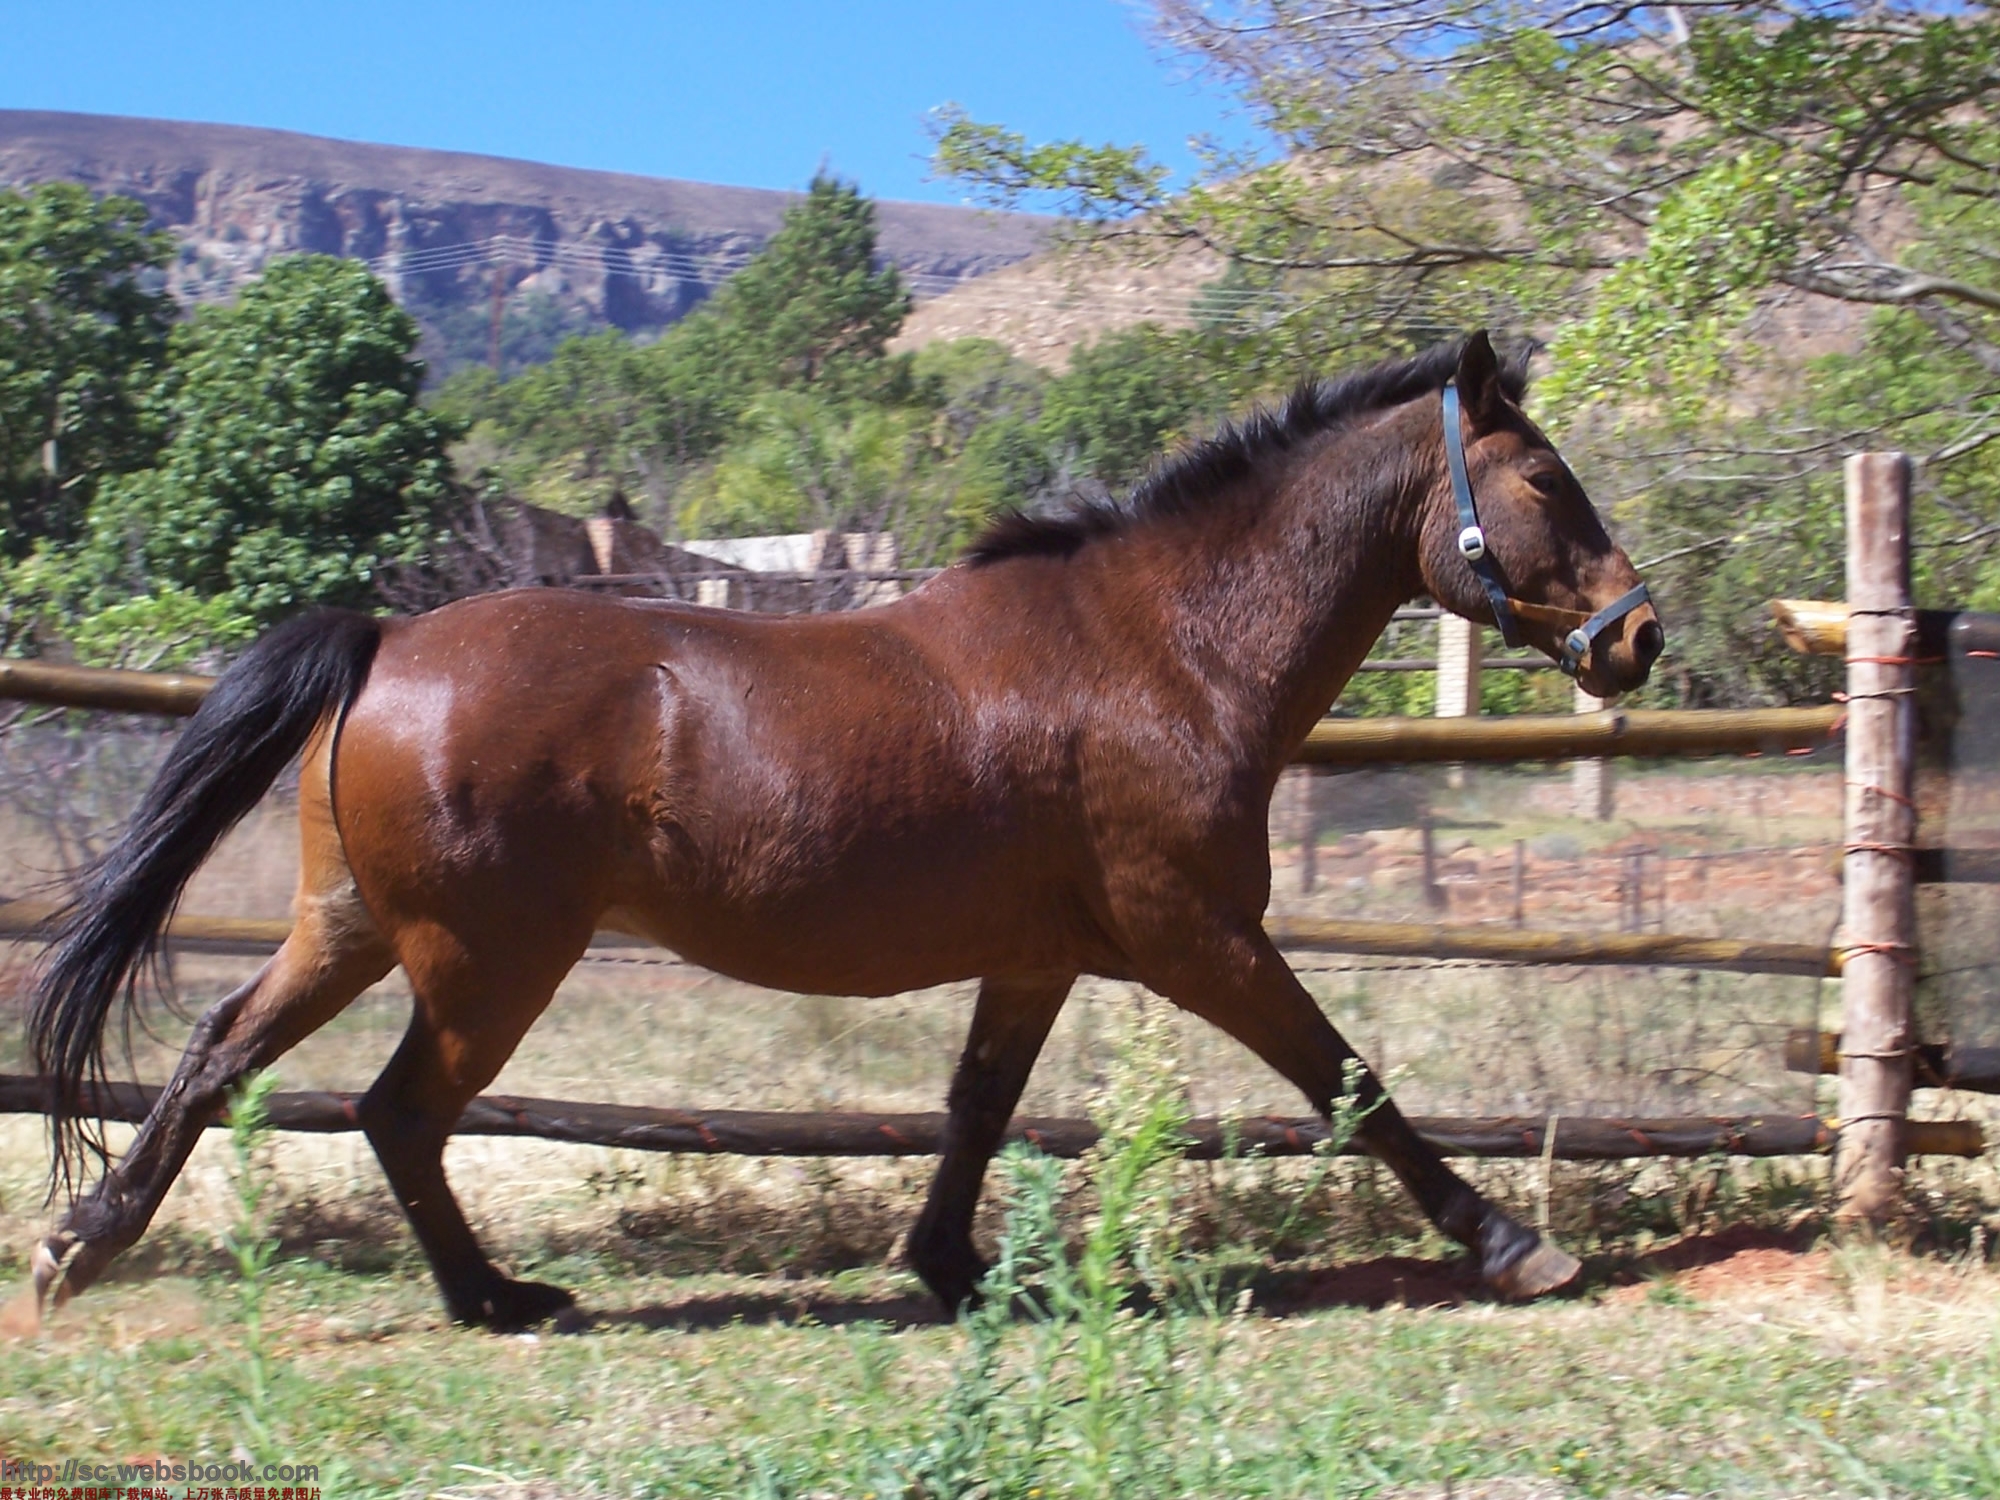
{"points": [[297, 461]]}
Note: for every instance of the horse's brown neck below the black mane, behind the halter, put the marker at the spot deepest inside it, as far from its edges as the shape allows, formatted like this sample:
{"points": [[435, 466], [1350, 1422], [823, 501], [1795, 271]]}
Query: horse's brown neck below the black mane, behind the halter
{"points": [[1287, 607]]}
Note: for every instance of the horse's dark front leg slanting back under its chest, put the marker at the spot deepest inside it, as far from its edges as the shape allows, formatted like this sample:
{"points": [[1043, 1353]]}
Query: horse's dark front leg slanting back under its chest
{"points": [[1009, 1027]]}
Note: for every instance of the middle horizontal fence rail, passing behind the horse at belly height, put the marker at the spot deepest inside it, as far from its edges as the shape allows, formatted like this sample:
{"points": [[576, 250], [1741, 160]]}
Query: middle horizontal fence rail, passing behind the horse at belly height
{"points": [[255, 937]]}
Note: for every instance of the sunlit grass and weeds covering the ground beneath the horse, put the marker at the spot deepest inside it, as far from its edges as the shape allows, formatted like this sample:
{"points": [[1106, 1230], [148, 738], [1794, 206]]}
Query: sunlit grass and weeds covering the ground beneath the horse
{"points": [[1129, 1349]]}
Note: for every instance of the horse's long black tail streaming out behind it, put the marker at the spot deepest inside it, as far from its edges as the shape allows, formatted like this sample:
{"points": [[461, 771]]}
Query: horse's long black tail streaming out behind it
{"points": [[259, 715]]}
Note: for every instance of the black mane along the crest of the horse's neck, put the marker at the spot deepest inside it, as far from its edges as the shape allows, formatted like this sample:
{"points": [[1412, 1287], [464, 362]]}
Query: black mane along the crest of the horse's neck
{"points": [[1189, 477]]}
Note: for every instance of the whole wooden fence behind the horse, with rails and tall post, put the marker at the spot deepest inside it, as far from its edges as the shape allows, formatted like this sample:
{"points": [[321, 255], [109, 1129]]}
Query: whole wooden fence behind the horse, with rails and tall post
{"points": [[1875, 1139]]}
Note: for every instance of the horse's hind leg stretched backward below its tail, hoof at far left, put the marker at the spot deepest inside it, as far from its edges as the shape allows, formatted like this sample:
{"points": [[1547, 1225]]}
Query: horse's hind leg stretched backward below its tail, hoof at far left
{"points": [[329, 959]]}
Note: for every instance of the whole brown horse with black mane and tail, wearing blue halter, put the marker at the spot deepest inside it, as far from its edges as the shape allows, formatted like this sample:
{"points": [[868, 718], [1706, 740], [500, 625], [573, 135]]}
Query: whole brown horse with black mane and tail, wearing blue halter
{"points": [[1057, 759]]}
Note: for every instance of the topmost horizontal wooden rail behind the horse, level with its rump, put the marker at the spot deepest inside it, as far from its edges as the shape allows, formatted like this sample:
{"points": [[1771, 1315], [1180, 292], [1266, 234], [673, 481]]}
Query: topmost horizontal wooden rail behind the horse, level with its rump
{"points": [[1333, 743]]}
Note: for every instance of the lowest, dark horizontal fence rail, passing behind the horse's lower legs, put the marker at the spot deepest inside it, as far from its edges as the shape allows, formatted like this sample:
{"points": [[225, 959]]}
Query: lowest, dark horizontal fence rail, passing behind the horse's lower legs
{"points": [[765, 1133]]}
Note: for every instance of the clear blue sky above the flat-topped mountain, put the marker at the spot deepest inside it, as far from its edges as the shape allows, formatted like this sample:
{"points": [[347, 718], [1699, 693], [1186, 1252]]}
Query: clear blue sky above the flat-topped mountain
{"points": [[755, 95]]}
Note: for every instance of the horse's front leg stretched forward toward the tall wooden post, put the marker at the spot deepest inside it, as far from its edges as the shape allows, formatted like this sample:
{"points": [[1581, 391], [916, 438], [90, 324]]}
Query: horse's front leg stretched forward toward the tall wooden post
{"points": [[1241, 983]]}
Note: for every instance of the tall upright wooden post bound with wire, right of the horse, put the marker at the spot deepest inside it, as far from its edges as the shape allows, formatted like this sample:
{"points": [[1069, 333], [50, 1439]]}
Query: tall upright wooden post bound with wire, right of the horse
{"points": [[1879, 909]]}
